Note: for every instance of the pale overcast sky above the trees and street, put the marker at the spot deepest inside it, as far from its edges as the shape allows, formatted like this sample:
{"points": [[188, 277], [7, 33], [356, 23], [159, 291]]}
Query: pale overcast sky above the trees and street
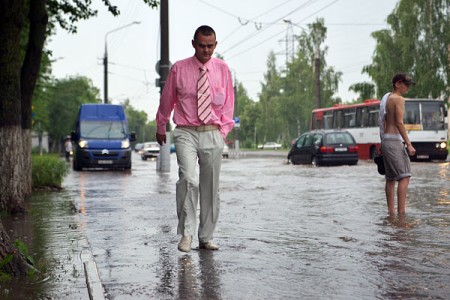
{"points": [[247, 30]]}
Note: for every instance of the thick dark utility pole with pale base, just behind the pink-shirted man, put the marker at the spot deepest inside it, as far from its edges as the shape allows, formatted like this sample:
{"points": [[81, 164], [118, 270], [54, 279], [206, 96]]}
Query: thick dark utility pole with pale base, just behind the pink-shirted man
{"points": [[163, 163]]}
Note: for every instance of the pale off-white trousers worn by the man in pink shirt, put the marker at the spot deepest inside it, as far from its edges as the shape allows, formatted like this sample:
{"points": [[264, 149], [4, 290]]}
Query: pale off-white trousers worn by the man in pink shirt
{"points": [[205, 149]]}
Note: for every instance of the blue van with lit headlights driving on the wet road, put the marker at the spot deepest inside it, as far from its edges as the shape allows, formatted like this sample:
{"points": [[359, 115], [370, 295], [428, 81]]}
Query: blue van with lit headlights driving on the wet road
{"points": [[101, 138]]}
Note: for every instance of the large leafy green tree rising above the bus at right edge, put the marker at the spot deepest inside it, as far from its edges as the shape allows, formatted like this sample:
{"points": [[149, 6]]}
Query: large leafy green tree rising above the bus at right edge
{"points": [[416, 43]]}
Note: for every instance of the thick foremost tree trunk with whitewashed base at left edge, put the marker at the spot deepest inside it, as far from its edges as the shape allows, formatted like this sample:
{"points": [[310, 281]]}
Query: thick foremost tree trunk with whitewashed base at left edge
{"points": [[11, 158]]}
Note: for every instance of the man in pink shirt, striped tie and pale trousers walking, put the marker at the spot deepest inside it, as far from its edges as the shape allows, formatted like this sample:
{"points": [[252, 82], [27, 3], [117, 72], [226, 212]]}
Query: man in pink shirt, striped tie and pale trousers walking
{"points": [[198, 139]]}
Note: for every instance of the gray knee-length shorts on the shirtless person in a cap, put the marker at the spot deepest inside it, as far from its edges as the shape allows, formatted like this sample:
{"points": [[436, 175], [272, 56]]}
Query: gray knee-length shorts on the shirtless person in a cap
{"points": [[396, 159]]}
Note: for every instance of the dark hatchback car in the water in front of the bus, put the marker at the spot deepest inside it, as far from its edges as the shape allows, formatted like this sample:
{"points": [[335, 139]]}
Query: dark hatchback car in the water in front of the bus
{"points": [[324, 147]]}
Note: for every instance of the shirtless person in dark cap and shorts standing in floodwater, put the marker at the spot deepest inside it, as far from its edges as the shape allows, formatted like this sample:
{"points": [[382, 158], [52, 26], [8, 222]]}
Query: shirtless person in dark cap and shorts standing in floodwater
{"points": [[393, 140]]}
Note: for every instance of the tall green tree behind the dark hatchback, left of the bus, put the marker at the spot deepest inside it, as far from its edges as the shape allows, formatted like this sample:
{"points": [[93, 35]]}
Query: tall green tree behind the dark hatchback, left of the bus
{"points": [[288, 97]]}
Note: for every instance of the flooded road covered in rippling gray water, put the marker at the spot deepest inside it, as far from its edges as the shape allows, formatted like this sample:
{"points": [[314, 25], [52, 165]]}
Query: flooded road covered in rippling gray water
{"points": [[285, 232]]}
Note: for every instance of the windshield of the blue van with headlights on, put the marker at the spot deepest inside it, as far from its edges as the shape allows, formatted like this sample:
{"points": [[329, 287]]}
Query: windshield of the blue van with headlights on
{"points": [[102, 130]]}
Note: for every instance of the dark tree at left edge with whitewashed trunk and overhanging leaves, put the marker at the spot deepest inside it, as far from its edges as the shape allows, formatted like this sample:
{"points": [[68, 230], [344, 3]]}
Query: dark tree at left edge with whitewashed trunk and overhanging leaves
{"points": [[18, 77]]}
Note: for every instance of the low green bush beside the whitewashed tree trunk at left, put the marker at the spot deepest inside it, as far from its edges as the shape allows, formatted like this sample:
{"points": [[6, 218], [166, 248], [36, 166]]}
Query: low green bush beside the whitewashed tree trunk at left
{"points": [[48, 171]]}
